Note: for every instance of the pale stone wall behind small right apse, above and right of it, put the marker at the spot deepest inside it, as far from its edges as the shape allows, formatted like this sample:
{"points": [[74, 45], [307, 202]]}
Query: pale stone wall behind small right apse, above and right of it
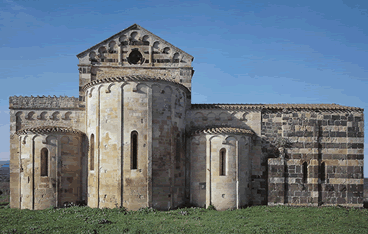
{"points": [[241, 116]]}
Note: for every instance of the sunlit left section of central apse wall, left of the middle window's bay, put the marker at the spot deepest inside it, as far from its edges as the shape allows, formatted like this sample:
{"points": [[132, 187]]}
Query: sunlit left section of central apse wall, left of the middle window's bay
{"points": [[103, 129]]}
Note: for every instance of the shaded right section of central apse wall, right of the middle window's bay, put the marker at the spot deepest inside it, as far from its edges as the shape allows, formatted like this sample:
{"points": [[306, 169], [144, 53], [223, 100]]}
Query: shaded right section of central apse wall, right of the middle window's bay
{"points": [[169, 107]]}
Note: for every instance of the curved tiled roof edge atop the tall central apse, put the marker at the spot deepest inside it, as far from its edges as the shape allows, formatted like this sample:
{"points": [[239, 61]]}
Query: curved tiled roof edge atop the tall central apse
{"points": [[130, 78]]}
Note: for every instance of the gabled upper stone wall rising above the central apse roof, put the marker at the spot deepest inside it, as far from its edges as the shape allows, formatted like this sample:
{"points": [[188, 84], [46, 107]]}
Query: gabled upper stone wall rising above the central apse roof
{"points": [[134, 51]]}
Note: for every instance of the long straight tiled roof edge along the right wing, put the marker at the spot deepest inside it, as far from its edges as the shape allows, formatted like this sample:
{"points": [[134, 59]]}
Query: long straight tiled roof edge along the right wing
{"points": [[274, 106]]}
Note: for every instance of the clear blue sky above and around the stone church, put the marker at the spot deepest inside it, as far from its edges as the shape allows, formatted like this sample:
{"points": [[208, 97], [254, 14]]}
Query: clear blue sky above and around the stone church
{"points": [[244, 51]]}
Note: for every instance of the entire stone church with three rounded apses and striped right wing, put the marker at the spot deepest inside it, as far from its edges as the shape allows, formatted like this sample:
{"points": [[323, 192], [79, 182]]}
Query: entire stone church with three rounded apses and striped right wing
{"points": [[133, 138]]}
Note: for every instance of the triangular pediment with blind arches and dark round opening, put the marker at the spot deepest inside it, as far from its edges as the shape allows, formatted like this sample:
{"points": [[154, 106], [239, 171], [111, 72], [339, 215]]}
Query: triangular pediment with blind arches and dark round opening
{"points": [[135, 46]]}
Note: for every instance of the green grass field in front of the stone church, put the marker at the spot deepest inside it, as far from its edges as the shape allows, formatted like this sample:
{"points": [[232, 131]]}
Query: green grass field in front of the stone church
{"points": [[257, 219]]}
